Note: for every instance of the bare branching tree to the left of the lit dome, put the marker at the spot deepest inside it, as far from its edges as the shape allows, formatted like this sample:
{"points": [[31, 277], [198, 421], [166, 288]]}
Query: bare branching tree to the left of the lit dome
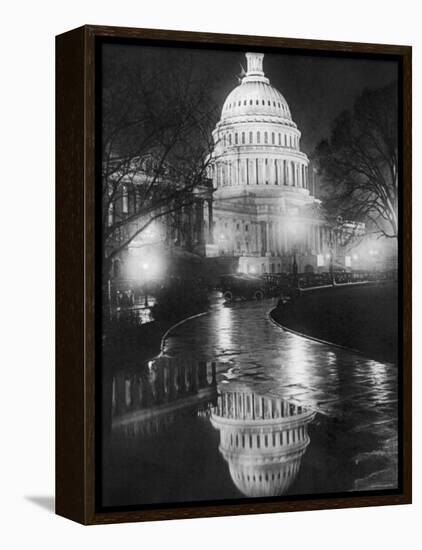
{"points": [[157, 117]]}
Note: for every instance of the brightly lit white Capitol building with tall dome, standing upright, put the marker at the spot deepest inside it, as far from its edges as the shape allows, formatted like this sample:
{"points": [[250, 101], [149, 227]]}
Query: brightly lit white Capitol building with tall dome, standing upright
{"points": [[264, 210]]}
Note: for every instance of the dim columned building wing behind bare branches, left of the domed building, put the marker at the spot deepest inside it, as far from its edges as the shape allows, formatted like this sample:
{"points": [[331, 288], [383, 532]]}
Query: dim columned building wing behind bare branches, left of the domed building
{"points": [[180, 225]]}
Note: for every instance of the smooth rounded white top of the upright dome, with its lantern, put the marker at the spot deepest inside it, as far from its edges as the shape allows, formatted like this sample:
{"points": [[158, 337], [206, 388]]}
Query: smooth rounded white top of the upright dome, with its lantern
{"points": [[255, 96]]}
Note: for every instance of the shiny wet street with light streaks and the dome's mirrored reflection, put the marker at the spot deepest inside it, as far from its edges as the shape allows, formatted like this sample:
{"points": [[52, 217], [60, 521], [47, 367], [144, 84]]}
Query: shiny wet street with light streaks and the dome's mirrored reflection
{"points": [[234, 406]]}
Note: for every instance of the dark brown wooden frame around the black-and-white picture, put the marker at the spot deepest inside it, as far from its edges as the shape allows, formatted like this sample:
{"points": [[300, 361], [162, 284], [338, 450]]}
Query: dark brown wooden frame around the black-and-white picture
{"points": [[78, 295]]}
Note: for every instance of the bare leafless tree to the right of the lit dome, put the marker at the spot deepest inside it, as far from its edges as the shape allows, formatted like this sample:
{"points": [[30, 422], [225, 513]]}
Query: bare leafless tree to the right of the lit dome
{"points": [[359, 163]]}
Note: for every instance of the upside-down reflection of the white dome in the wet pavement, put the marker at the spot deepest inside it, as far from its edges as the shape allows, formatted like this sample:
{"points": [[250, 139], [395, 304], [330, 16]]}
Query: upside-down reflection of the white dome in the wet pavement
{"points": [[263, 440]]}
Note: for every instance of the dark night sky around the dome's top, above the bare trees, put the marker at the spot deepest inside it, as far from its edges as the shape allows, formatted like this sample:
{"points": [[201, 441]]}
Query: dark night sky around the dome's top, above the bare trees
{"points": [[317, 88]]}
